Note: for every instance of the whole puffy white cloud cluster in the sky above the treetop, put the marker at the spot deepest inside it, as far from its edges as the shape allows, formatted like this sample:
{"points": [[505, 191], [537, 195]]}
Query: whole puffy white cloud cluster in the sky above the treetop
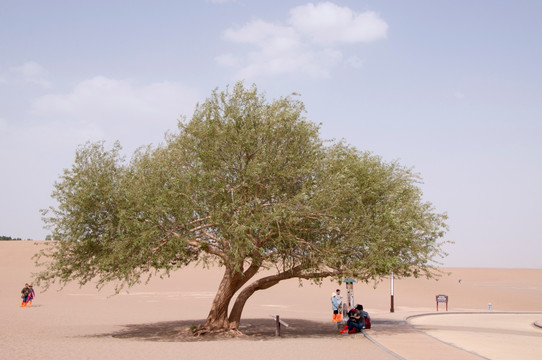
{"points": [[308, 46]]}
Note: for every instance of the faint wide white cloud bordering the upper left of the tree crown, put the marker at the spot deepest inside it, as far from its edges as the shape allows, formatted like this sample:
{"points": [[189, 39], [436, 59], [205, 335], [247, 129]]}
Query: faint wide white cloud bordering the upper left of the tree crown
{"points": [[103, 108]]}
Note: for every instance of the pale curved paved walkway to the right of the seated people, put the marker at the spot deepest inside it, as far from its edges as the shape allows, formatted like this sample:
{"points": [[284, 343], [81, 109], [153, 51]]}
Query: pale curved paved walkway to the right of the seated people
{"points": [[460, 336]]}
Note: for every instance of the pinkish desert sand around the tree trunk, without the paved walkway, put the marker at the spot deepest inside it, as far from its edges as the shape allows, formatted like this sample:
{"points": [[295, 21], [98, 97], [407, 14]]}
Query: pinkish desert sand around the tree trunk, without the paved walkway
{"points": [[144, 322]]}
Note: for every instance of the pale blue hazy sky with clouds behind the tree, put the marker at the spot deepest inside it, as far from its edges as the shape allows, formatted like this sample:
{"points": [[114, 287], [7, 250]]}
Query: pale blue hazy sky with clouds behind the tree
{"points": [[450, 88]]}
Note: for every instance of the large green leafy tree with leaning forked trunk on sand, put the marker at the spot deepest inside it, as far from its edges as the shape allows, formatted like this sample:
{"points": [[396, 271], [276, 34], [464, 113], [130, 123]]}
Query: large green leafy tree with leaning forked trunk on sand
{"points": [[246, 184]]}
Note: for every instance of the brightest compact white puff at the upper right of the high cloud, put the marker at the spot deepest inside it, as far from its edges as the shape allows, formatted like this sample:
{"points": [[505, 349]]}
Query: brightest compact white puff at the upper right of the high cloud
{"points": [[329, 23]]}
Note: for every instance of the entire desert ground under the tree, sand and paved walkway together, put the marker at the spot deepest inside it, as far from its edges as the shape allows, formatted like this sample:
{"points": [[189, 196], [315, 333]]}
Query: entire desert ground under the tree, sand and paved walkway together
{"points": [[82, 323]]}
